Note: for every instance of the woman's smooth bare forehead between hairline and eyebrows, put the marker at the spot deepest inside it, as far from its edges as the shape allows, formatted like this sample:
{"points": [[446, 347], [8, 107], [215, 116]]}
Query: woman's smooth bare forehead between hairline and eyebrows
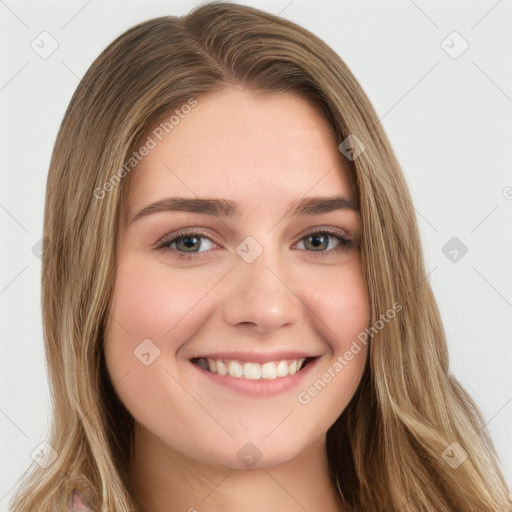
{"points": [[257, 148]]}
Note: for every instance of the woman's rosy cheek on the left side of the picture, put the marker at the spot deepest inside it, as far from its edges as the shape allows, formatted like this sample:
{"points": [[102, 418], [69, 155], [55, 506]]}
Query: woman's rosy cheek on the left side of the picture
{"points": [[152, 315]]}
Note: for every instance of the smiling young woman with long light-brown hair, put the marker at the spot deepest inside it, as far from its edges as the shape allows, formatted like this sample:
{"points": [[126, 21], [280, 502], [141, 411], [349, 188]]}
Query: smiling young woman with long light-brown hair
{"points": [[236, 310]]}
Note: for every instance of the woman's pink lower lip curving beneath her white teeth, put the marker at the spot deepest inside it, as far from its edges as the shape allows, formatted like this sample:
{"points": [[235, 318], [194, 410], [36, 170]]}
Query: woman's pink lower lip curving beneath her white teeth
{"points": [[258, 387]]}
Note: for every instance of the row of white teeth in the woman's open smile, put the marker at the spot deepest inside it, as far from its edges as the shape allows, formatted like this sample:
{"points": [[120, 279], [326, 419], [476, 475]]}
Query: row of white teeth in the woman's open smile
{"points": [[253, 371]]}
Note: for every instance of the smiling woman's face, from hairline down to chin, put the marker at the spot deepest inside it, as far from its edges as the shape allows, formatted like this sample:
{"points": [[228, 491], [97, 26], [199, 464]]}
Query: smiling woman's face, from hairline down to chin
{"points": [[237, 302]]}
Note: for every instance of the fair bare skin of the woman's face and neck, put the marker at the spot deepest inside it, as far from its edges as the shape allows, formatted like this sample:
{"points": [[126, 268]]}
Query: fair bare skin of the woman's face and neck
{"points": [[264, 152]]}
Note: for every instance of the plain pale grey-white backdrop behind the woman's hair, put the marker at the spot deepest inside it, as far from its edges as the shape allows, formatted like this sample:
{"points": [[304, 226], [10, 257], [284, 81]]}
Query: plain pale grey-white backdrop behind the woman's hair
{"points": [[444, 99]]}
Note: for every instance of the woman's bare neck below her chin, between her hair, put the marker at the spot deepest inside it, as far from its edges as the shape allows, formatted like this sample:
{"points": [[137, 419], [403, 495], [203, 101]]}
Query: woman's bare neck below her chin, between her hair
{"points": [[163, 478]]}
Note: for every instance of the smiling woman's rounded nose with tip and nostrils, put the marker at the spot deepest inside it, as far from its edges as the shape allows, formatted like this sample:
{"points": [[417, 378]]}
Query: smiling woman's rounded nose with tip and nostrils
{"points": [[261, 296]]}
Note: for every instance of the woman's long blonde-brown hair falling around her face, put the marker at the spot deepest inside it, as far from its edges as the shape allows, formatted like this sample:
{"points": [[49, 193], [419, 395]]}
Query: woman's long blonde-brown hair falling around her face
{"points": [[385, 450]]}
